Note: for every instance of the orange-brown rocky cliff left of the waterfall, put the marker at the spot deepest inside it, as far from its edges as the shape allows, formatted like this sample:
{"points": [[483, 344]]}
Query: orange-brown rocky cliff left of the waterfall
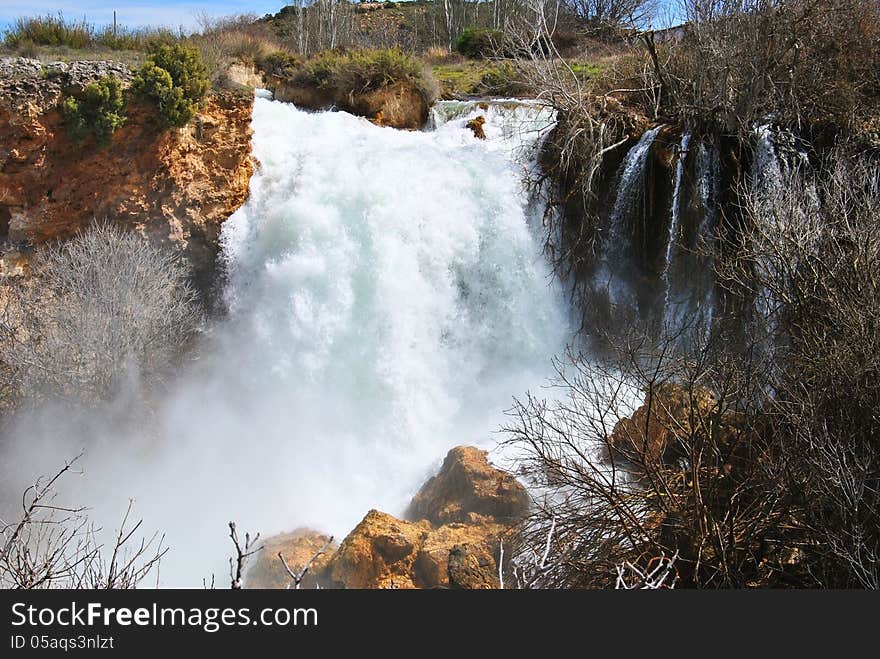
{"points": [[175, 186]]}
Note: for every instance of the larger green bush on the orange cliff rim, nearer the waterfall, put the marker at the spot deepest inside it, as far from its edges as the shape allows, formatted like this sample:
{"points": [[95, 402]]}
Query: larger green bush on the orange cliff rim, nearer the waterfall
{"points": [[176, 80]]}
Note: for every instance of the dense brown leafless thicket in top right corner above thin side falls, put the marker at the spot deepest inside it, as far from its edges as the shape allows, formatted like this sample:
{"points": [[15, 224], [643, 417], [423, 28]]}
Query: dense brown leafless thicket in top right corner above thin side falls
{"points": [[810, 62]]}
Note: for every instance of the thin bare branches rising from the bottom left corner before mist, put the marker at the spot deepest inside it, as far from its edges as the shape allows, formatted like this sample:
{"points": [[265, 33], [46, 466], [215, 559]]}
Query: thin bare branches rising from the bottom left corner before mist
{"points": [[56, 546]]}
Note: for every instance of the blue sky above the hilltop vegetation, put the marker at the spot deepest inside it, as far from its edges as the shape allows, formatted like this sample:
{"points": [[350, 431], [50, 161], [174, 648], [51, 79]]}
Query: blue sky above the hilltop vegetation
{"points": [[165, 13]]}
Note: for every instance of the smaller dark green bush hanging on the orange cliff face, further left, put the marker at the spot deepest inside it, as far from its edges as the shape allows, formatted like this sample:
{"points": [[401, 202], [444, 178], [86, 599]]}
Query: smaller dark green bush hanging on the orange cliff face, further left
{"points": [[99, 112]]}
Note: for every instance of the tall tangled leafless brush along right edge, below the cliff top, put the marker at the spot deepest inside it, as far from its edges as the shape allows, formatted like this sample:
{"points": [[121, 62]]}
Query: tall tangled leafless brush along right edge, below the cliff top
{"points": [[811, 257]]}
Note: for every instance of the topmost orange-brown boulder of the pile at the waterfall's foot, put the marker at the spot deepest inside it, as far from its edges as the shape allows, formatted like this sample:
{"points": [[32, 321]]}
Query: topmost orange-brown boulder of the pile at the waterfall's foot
{"points": [[467, 488]]}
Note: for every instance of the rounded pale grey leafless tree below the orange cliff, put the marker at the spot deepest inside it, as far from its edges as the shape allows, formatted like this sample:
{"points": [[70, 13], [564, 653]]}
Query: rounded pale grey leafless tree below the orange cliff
{"points": [[101, 308]]}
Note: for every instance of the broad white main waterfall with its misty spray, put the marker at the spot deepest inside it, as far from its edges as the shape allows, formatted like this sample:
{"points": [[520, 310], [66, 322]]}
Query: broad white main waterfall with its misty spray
{"points": [[388, 297]]}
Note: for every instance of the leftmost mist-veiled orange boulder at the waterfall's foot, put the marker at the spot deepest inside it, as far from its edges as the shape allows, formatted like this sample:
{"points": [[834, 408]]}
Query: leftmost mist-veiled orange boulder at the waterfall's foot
{"points": [[298, 548]]}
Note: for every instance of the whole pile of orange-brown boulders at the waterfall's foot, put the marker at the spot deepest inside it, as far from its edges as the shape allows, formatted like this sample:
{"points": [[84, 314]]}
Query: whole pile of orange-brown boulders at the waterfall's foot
{"points": [[450, 539]]}
